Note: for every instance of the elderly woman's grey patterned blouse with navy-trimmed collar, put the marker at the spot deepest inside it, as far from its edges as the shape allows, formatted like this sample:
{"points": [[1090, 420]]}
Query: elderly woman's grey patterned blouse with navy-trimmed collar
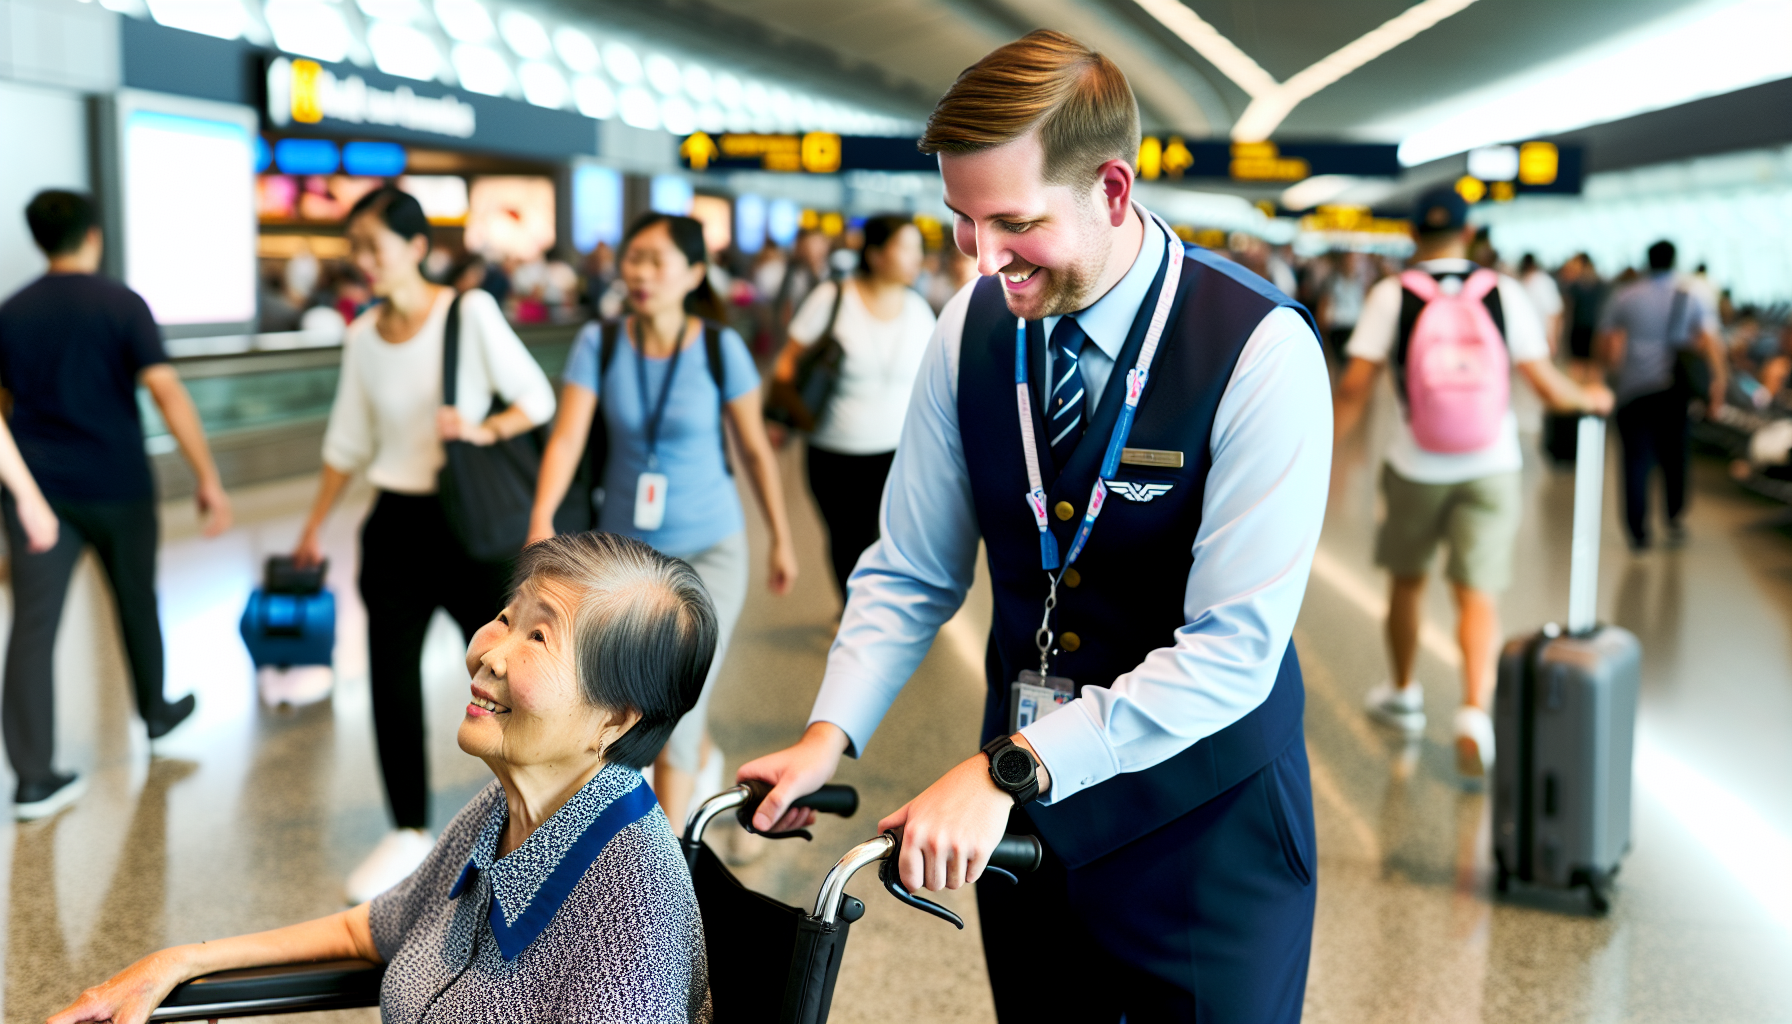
{"points": [[590, 919]]}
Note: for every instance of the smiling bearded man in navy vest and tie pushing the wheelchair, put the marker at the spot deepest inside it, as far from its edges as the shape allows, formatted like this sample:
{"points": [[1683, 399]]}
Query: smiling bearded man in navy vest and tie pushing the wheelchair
{"points": [[1141, 435]]}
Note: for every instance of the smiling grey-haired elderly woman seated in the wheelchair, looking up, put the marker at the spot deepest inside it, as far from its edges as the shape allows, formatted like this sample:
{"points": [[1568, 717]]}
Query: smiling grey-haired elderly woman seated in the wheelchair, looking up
{"points": [[560, 892]]}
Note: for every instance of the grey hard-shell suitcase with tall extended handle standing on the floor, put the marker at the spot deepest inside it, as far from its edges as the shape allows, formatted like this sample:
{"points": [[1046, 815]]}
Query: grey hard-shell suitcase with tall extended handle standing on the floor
{"points": [[1565, 722]]}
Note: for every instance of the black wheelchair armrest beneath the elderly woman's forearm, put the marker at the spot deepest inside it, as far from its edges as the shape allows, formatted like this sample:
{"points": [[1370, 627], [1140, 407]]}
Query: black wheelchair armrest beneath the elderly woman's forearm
{"points": [[286, 989]]}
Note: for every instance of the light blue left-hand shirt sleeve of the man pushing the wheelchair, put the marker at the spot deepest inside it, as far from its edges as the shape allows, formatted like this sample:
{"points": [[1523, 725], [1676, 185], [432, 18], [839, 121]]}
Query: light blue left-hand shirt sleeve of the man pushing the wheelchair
{"points": [[915, 578]]}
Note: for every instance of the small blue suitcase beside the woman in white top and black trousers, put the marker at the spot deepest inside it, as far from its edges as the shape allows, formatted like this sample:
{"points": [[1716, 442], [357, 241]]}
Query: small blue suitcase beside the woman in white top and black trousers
{"points": [[289, 629]]}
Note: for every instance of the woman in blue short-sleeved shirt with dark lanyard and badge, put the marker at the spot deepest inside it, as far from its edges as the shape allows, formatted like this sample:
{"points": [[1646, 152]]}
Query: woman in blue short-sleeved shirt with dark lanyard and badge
{"points": [[666, 474]]}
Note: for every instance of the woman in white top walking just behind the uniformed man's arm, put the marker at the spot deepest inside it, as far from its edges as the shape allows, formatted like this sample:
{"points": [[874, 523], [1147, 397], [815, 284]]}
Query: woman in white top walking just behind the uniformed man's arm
{"points": [[883, 325]]}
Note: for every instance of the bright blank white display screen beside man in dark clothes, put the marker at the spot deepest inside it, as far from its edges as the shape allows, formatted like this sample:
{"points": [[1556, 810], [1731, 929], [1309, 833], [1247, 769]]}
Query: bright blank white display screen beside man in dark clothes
{"points": [[191, 218]]}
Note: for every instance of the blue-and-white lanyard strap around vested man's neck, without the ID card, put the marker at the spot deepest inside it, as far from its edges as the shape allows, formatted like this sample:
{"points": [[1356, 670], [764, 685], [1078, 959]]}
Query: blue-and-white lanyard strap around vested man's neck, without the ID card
{"points": [[1135, 388]]}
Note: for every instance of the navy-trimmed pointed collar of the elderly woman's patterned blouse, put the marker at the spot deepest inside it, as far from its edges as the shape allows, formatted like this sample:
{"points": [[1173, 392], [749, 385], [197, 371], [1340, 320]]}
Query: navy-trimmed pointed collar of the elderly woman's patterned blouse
{"points": [[530, 885]]}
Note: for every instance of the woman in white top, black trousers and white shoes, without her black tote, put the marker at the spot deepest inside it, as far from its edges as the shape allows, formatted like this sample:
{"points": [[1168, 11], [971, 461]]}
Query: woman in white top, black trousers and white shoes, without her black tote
{"points": [[390, 422]]}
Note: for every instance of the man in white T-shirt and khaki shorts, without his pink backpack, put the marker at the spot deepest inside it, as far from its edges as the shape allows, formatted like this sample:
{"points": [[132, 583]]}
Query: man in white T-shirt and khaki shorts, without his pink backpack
{"points": [[1469, 499]]}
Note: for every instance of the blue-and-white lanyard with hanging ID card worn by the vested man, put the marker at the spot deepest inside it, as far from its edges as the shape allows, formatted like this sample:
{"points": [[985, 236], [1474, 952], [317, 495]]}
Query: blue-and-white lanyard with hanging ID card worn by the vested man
{"points": [[1038, 693]]}
